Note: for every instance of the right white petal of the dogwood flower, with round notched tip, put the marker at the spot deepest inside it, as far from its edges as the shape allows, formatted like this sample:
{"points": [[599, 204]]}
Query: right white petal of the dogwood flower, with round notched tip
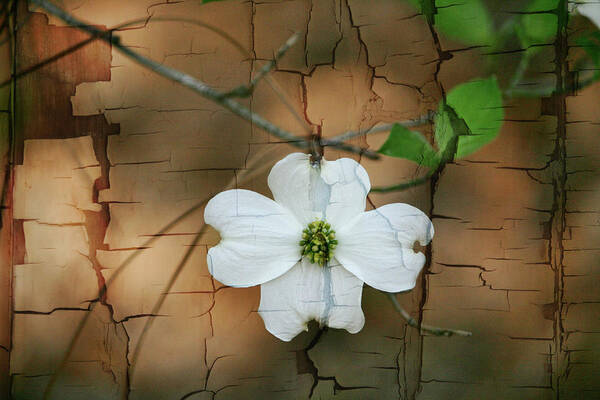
{"points": [[377, 246]]}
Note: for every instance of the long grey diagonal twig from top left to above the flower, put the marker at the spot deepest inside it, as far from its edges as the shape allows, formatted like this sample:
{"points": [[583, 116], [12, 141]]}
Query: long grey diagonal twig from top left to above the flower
{"points": [[194, 84]]}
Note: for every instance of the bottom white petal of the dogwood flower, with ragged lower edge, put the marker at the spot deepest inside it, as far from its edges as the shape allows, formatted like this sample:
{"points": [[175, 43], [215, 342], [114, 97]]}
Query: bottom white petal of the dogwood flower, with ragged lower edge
{"points": [[330, 295]]}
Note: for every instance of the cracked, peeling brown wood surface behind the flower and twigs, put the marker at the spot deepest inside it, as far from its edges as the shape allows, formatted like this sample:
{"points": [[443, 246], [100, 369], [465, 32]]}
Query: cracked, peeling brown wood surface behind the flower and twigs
{"points": [[107, 153]]}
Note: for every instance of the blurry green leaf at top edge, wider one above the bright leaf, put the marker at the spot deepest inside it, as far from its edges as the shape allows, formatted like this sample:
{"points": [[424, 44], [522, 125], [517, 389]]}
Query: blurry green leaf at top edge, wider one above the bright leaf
{"points": [[467, 21]]}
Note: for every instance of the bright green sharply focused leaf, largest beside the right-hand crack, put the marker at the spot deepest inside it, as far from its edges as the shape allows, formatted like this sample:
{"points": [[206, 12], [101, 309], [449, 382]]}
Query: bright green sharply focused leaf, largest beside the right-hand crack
{"points": [[479, 104]]}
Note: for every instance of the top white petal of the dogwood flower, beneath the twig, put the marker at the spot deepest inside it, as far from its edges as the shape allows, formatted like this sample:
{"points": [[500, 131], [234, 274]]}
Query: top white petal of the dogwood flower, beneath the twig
{"points": [[337, 193]]}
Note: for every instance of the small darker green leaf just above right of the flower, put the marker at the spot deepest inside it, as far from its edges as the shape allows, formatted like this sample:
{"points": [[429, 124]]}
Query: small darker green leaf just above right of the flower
{"points": [[404, 143]]}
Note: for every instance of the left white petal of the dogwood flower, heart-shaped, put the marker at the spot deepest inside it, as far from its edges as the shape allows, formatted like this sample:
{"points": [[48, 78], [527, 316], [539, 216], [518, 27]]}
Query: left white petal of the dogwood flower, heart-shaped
{"points": [[259, 238]]}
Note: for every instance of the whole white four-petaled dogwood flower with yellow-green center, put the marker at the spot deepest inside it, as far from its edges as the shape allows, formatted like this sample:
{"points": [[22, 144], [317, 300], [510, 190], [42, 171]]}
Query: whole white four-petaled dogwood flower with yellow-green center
{"points": [[313, 247]]}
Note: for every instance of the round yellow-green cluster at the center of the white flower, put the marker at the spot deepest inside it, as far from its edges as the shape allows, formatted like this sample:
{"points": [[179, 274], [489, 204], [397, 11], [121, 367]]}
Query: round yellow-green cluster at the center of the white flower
{"points": [[318, 242]]}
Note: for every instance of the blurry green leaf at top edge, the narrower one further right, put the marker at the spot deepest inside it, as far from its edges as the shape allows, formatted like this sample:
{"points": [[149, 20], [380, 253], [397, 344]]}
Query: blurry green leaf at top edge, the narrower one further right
{"points": [[541, 26]]}
